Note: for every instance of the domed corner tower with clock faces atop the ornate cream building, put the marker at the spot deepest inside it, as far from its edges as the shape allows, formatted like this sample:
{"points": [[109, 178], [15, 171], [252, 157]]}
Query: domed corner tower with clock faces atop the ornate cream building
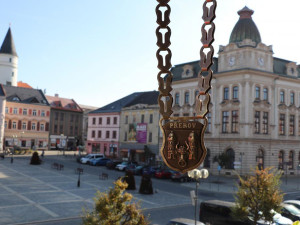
{"points": [[245, 49]]}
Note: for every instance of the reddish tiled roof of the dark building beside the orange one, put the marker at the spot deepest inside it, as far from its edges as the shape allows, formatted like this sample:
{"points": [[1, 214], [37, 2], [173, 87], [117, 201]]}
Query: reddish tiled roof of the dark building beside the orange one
{"points": [[57, 102]]}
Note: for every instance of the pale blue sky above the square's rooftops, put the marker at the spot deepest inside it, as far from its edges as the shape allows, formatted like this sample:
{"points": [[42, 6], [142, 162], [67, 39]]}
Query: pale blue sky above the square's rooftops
{"points": [[98, 51]]}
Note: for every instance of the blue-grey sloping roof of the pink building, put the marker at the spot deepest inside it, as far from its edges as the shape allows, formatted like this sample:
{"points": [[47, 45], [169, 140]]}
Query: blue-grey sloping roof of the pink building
{"points": [[116, 106]]}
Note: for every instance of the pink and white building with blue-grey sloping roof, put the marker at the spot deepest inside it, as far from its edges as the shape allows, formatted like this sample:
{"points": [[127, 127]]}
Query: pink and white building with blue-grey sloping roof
{"points": [[104, 127]]}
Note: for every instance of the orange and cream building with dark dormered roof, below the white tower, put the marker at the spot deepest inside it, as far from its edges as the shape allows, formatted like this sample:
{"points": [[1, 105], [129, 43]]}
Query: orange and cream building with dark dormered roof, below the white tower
{"points": [[27, 117]]}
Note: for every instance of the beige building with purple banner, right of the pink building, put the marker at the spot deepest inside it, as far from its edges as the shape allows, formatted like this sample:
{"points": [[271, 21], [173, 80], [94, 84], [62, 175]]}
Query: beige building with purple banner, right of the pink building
{"points": [[139, 133]]}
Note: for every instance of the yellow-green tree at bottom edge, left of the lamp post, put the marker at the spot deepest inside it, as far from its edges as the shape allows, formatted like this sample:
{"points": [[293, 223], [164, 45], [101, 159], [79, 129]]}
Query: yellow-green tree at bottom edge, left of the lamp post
{"points": [[115, 208]]}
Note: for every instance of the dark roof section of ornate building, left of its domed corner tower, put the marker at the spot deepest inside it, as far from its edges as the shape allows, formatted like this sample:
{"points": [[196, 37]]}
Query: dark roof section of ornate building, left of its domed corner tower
{"points": [[177, 70]]}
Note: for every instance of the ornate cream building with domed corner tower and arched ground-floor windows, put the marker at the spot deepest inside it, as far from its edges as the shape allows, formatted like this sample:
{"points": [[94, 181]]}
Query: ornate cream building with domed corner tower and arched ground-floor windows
{"points": [[255, 107]]}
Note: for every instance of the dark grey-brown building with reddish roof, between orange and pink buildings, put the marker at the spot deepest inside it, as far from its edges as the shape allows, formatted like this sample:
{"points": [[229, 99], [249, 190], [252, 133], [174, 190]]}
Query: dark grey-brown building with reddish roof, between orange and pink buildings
{"points": [[66, 120]]}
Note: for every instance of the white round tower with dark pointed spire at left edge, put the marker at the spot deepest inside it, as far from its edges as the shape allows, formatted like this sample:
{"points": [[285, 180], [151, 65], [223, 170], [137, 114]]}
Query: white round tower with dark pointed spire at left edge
{"points": [[8, 61]]}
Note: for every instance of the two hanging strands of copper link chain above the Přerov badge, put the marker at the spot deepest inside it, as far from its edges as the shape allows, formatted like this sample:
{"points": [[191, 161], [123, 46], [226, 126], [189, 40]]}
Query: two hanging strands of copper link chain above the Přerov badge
{"points": [[164, 54]]}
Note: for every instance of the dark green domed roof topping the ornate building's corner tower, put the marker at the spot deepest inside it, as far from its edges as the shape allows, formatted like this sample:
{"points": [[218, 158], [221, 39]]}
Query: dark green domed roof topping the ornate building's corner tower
{"points": [[245, 28]]}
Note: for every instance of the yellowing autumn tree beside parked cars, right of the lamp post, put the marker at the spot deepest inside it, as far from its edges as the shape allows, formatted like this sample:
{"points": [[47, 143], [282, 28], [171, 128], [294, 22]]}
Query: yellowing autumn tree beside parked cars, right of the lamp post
{"points": [[258, 195]]}
